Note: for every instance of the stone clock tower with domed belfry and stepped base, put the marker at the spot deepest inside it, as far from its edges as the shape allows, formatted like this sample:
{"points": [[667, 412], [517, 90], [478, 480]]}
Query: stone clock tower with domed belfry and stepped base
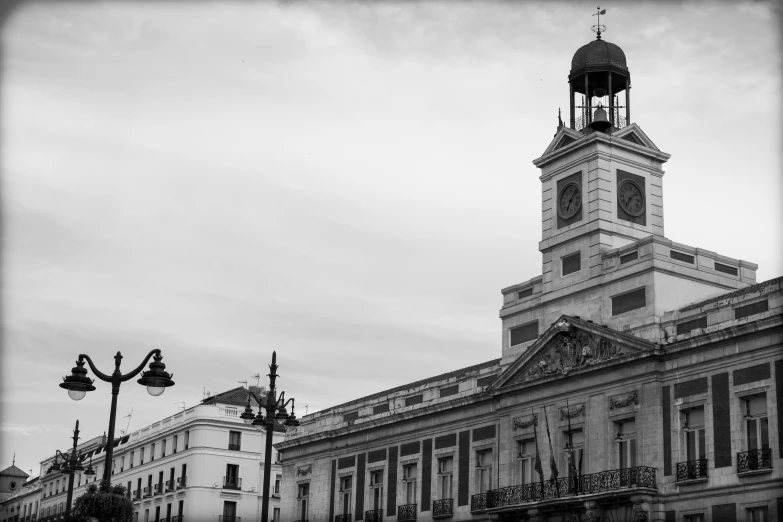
{"points": [[605, 256]]}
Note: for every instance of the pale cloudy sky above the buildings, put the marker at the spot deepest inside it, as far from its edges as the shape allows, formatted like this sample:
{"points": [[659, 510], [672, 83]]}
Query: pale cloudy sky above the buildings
{"points": [[347, 183]]}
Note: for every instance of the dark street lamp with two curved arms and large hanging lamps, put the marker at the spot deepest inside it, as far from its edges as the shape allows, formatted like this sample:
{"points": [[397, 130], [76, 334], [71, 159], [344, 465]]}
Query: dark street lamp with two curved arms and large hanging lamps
{"points": [[156, 379]]}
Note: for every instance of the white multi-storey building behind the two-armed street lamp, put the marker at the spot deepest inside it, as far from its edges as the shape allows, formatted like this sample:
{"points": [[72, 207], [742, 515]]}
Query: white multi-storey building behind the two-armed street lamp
{"points": [[202, 464]]}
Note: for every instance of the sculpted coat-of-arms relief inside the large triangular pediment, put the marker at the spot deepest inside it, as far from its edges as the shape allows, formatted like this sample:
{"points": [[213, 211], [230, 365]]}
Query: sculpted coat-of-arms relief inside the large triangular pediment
{"points": [[570, 350]]}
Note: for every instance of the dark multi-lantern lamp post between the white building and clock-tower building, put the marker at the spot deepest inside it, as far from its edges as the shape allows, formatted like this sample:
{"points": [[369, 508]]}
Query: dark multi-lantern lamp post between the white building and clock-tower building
{"points": [[275, 409]]}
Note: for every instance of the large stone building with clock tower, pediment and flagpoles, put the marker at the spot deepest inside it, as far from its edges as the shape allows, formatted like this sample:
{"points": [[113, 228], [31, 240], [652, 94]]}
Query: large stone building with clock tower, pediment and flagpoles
{"points": [[648, 373]]}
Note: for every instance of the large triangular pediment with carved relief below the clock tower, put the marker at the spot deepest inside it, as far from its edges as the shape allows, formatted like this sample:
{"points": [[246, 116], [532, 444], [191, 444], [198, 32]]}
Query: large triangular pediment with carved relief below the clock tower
{"points": [[569, 346]]}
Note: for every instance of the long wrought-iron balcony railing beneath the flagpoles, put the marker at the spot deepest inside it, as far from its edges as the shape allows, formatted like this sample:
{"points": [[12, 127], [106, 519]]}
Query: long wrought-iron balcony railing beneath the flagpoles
{"points": [[601, 482]]}
